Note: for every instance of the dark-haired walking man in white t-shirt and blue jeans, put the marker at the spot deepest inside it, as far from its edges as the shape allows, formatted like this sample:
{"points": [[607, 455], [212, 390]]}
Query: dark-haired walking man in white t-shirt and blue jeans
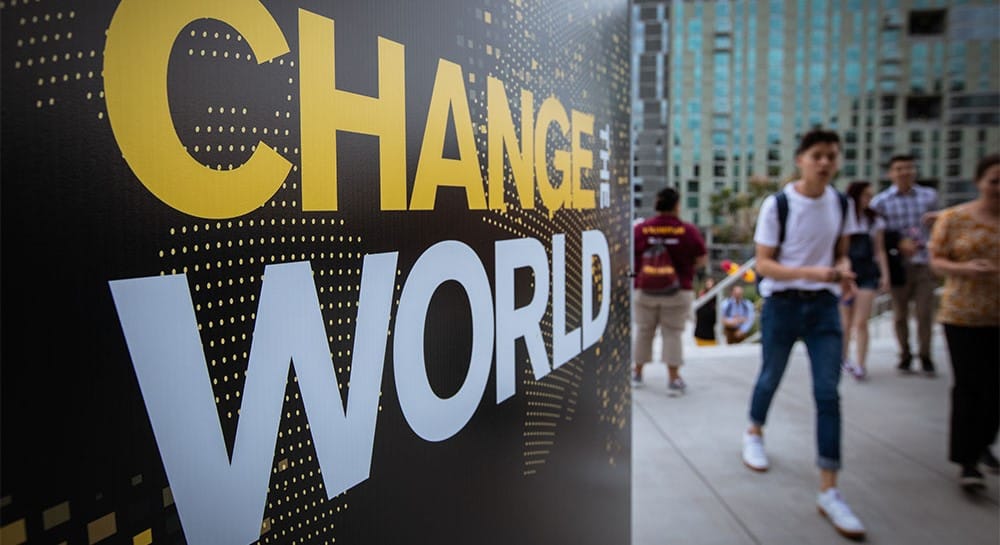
{"points": [[804, 262]]}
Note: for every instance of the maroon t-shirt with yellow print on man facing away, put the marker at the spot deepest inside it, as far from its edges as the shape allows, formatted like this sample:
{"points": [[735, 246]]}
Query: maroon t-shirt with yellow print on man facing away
{"points": [[682, 240]]}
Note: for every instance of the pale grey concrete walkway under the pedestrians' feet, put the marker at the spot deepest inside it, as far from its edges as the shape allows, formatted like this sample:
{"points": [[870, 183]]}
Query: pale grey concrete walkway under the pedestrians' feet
{"points": [[690, 486]]}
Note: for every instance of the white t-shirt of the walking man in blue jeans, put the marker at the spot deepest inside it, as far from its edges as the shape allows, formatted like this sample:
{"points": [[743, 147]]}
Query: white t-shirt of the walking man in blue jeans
{"points": [[811, 230]]}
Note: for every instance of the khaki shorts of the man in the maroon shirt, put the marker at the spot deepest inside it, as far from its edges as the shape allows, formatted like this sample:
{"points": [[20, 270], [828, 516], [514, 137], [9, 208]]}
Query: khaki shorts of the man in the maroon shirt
{"points": [[669, 312]]}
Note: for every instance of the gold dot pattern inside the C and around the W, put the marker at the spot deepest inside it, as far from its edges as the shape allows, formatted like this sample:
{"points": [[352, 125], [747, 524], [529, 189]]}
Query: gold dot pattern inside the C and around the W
{"points": [[225, 260]]}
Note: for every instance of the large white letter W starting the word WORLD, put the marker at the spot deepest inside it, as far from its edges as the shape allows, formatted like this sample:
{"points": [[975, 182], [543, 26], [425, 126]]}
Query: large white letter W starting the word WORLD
{"points": [[161, 331]]}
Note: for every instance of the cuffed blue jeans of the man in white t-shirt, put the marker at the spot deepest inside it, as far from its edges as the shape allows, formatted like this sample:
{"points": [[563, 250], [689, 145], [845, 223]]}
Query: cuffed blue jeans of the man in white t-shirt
{"points": [[816, 321]]}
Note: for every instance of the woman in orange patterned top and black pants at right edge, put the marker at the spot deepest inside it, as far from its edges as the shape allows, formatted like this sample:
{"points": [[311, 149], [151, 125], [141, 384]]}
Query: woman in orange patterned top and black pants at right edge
{"points": [[965, 247]]}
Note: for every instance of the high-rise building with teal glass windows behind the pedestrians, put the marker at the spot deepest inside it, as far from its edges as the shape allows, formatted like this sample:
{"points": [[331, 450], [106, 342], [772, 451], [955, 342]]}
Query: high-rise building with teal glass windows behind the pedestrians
{"points": [[722, 91]]}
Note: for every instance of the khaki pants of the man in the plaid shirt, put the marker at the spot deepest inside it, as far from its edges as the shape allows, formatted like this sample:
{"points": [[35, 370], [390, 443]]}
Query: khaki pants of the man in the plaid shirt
{"points": [[919, 288]]}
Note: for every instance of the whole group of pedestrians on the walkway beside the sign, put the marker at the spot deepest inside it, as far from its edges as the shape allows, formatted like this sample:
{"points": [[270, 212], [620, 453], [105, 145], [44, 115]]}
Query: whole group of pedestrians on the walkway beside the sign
{"points": [[822, 257]]}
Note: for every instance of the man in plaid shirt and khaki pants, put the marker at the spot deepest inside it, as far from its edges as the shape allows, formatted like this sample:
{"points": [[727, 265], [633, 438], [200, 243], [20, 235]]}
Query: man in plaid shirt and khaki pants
{"points": [[909, 209]]}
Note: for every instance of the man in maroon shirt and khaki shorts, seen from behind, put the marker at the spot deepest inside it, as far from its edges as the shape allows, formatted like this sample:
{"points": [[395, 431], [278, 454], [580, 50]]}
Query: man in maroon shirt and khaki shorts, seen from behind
{"points": [[687, 252]]}
